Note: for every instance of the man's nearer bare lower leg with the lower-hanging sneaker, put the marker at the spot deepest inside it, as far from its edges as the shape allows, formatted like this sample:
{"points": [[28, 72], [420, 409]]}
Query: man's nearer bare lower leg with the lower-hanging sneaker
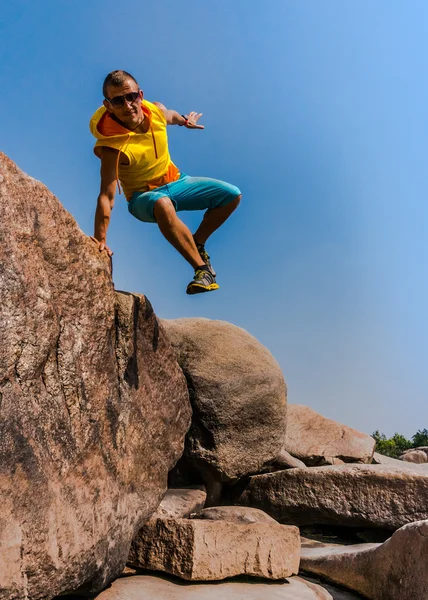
{"points": [[179, 236]]}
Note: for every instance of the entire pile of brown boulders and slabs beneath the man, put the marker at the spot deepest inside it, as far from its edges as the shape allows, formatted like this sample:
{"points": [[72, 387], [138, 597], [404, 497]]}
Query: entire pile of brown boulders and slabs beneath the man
{"points": [[102, 404]]}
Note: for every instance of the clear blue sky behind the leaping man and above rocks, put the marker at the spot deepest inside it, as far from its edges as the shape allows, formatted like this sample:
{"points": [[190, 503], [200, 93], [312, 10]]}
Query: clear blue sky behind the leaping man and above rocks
{"points": [[317, 110]]}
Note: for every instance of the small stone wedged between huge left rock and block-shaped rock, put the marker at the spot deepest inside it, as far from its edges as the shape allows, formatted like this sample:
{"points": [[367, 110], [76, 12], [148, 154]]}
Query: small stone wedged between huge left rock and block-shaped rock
{"points": [[180, 503]]}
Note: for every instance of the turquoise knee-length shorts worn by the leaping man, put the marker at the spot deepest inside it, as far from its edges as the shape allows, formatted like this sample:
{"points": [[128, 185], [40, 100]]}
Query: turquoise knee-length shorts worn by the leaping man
{"points": [[187, 193]]}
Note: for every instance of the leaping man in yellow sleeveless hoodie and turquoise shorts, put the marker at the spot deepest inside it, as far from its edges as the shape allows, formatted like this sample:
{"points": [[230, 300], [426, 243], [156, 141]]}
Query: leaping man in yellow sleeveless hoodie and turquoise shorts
{"points": [[133, 147]]}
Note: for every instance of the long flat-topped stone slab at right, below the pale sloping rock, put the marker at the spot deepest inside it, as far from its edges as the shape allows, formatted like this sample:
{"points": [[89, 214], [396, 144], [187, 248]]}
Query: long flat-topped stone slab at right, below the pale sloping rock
{"points": [[356, 495]]}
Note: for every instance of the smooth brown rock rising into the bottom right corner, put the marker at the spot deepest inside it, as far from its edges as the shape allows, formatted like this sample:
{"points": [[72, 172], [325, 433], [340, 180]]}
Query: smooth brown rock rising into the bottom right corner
{"points": [[394, 570]]}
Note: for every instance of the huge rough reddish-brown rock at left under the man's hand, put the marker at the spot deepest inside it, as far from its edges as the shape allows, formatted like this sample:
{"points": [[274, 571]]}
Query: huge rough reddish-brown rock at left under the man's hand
{"points": [[93, 407]]}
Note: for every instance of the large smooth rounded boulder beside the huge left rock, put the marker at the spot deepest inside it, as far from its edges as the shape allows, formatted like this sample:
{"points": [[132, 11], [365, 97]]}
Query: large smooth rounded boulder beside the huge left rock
{"points": [[238, 396]]}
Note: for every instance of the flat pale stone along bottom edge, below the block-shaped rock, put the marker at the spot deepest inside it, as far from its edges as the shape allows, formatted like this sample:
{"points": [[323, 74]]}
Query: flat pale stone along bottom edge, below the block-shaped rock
{"points": [[149, 587]]}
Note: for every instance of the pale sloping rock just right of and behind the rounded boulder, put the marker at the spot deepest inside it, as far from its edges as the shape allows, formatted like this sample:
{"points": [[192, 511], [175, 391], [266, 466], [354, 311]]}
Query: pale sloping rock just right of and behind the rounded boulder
{"points": [[316, 440]]}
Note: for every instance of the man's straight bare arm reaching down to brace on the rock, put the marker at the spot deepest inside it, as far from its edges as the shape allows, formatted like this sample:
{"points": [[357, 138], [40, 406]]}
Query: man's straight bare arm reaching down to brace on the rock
{"points": [[105, 200]]}
